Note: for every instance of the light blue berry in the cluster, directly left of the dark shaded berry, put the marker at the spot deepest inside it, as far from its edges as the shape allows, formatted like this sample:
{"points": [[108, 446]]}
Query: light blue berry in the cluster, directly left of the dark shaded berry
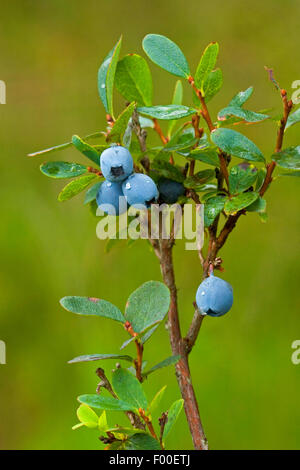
{"points": [[140, 189]]}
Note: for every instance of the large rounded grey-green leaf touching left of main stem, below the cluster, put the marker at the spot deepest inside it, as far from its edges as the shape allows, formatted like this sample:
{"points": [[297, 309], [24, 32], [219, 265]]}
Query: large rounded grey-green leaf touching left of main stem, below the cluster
{"points": [[147, 305]]}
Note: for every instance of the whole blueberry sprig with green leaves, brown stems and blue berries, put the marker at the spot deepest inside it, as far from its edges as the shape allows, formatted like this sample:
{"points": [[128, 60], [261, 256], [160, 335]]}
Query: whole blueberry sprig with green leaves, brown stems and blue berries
{"points": [[195, 162]]}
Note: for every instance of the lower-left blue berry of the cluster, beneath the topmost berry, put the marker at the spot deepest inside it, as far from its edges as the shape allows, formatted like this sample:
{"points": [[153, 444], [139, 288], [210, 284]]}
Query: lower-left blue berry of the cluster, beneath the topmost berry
{"points": [[110, 198]]}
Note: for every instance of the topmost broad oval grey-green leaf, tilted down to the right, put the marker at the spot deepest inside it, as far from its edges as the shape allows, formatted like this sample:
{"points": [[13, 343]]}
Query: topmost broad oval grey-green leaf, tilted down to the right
{"points": [[166, 54]]}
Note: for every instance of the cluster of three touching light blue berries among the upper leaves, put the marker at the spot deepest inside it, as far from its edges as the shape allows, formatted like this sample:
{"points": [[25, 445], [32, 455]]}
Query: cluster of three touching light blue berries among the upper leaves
{"points": [[122, 187]]}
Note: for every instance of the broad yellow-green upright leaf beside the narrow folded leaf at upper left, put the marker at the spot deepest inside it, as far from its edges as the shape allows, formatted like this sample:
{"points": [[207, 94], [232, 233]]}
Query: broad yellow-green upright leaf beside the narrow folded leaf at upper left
{"points": [[133, 79]]}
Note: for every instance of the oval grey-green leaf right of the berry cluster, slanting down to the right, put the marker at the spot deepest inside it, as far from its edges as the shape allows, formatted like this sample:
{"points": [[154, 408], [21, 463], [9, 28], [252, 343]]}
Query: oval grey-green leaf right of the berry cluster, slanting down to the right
{"points": [[236, 144]]}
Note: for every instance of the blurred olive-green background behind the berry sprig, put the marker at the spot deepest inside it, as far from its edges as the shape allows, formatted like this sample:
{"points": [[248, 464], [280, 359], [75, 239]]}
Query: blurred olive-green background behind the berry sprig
{"points": [[246, 384]]}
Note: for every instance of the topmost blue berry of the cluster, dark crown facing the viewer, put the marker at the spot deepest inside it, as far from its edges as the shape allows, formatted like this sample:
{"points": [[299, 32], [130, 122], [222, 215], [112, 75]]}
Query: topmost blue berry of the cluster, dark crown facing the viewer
{"points": [[116, 163]]}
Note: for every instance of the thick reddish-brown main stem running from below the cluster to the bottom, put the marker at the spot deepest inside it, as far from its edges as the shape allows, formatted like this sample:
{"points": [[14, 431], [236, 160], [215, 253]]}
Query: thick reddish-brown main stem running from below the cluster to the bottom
{"points": [[179, 348]]}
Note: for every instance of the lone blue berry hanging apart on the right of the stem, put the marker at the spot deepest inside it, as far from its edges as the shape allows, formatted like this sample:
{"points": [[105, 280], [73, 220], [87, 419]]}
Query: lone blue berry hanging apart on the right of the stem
{"points": [[214, 296]]}
